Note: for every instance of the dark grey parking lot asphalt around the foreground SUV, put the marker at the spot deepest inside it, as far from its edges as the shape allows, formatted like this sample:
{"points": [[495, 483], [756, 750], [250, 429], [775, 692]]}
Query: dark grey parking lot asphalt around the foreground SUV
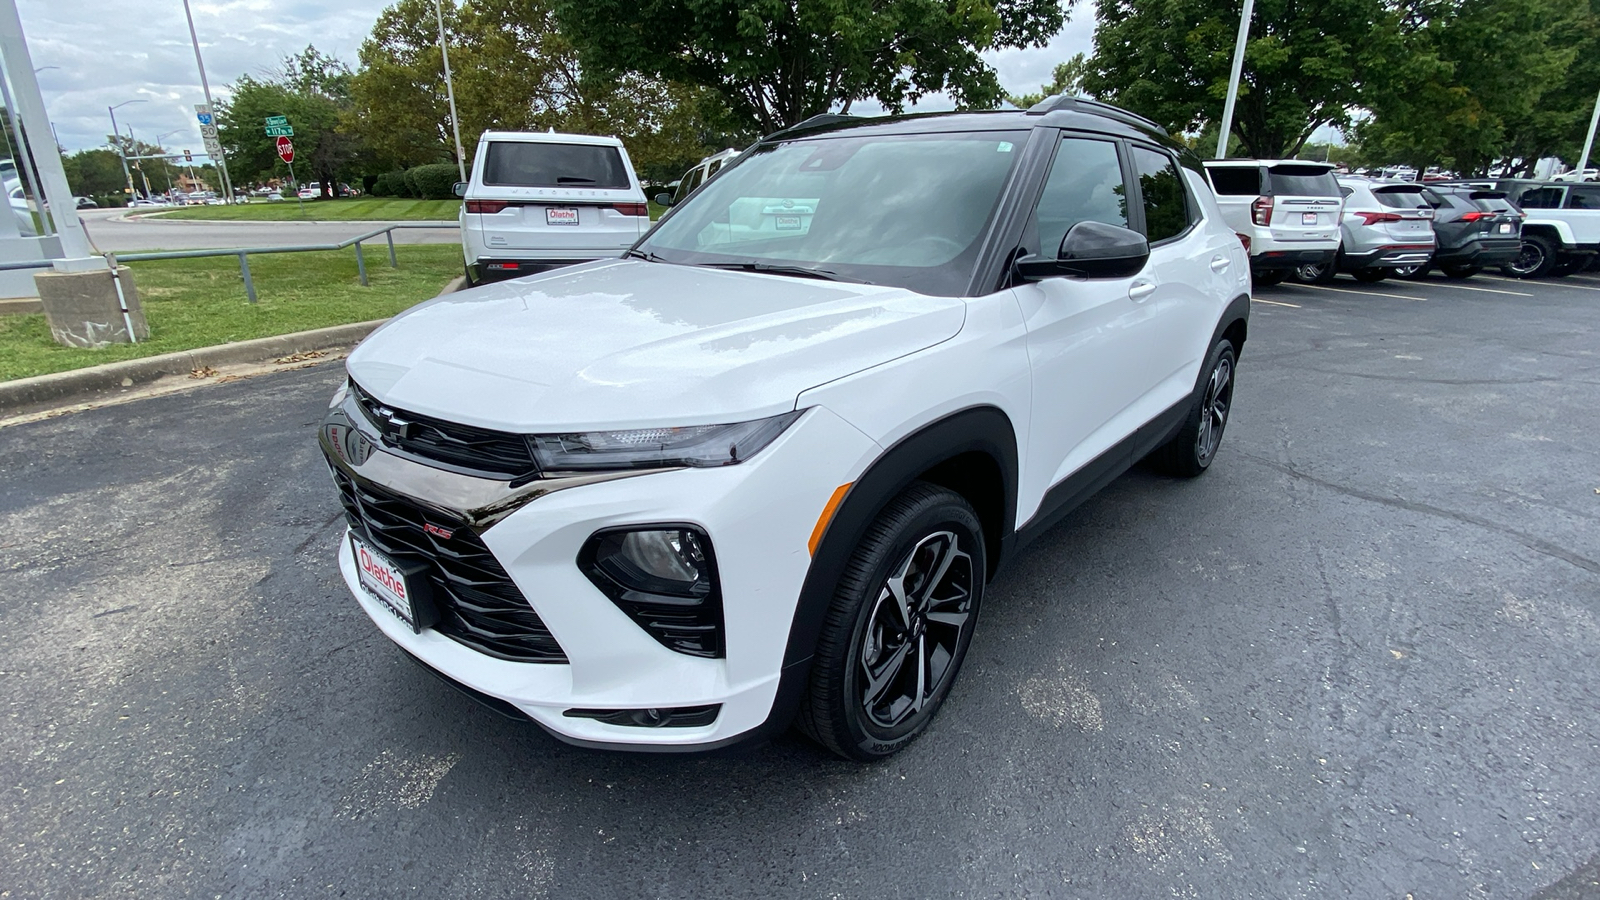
{"points": [[1359, 657]]}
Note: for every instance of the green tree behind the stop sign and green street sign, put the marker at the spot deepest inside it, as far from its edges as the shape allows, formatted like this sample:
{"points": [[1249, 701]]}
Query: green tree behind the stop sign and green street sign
{"points": [[313, 92]]}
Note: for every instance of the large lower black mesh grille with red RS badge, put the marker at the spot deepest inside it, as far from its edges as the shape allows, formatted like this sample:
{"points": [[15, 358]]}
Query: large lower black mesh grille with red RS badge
{"points": [[478, 601]]}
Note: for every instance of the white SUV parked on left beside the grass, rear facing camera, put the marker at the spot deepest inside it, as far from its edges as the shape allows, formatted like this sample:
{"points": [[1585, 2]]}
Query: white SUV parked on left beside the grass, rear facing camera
{"points": [[538, 201]]}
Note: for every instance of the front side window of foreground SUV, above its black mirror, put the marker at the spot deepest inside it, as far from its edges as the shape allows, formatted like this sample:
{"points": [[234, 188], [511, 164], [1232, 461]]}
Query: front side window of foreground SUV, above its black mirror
{"points": [[1084, 185]]}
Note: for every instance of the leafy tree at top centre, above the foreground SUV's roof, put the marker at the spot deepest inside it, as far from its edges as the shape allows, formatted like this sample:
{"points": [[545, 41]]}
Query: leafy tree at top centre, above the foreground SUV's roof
{"points": [[777, 63]]}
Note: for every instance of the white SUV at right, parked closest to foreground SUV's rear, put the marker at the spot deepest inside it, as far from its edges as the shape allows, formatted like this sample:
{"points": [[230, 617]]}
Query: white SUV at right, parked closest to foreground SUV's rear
{"points": [[1287, 211]]}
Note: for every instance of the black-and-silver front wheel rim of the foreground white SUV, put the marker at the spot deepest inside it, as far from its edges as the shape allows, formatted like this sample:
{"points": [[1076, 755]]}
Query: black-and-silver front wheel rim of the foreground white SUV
{"points": [[916, 629]]}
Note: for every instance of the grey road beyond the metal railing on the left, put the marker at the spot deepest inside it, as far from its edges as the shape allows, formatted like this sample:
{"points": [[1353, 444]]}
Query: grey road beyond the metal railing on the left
{"points": [[111, 231]]}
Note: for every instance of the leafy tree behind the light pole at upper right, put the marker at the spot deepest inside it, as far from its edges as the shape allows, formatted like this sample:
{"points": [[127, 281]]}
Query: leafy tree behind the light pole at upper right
{"points": [[1306, 65]]}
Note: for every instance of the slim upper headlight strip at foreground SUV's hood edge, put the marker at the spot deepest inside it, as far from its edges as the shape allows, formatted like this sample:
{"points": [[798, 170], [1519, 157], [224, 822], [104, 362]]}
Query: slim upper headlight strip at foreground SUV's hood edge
{"points": [[702, 446]]}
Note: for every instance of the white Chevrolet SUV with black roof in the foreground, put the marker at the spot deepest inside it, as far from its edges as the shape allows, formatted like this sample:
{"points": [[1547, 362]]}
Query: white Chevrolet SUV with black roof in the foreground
{"points": [[746, 478]]}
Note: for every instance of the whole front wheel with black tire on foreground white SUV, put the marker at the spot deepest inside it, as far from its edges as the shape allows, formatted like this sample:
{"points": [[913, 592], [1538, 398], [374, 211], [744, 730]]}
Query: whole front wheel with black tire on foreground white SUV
{"points": [[924, 529]]}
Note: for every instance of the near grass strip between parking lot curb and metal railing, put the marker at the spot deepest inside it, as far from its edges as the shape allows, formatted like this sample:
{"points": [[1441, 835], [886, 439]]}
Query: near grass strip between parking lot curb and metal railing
{"points": [[196, 303]]}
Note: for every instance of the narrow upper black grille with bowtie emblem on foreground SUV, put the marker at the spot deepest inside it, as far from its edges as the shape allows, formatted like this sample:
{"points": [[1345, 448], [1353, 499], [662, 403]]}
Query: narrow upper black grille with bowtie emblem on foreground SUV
{"points": [[462, 446]]}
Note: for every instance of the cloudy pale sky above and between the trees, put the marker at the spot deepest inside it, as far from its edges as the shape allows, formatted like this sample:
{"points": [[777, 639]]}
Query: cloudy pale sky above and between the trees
{"points": [[100, 54]]}
